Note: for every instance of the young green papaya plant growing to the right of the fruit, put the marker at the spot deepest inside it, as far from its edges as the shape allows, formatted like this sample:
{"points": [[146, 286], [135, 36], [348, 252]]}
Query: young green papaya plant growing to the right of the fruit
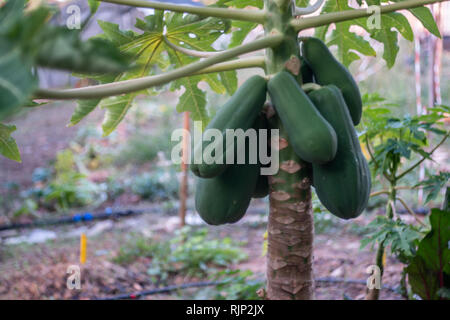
{"points": [[393, 143]]}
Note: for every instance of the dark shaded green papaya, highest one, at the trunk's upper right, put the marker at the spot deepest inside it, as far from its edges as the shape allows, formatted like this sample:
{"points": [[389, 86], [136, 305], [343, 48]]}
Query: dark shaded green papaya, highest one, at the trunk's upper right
{"points": [[328, 70]]}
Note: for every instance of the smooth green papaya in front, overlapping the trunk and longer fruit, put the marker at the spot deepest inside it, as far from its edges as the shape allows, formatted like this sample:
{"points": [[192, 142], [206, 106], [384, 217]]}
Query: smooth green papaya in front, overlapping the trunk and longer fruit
{"points": [[311, 136]]}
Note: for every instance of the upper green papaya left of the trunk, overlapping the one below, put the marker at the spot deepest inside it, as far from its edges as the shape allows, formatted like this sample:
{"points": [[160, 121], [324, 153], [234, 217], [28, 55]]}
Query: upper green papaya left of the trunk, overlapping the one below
{"points": [[240, 112]]}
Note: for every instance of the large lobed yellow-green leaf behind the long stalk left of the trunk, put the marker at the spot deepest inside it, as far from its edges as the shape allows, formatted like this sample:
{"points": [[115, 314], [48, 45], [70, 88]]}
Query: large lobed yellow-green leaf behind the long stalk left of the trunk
{"points": [[151, 55]]}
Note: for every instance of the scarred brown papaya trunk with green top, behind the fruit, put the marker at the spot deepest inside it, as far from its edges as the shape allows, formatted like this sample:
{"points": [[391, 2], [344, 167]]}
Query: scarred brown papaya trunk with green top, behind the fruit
{"points": [[291, 226]]}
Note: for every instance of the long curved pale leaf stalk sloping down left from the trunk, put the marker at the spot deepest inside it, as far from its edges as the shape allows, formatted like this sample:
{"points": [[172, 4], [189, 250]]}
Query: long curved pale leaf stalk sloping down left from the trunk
{"points": [[133, 85]]}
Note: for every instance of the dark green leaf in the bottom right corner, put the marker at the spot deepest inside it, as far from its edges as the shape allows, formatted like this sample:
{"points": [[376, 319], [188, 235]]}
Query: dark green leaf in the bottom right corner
{"points": [[429, 270]]}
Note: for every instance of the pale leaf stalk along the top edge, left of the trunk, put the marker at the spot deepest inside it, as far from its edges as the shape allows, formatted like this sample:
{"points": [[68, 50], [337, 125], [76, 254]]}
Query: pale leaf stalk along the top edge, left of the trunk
{"points": [[258, 16]]}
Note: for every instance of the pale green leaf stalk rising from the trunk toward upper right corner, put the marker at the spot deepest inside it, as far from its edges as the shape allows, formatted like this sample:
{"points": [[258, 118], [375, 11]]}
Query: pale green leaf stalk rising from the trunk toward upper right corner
{"points": [[325, 19]]}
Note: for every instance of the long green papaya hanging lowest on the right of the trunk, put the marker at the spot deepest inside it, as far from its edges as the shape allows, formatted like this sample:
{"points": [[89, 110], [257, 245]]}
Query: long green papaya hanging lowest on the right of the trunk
{"points": [[343, 184]]}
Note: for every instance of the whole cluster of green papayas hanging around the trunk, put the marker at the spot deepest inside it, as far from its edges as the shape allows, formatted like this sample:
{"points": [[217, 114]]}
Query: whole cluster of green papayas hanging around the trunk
{"points": [[320, 128]]}
